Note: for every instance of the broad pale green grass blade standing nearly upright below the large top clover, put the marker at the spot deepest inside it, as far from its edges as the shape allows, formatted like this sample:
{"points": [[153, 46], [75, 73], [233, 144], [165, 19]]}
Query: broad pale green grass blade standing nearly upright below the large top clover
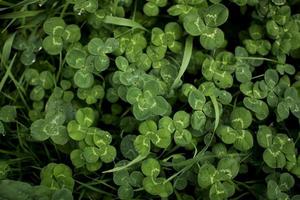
{"points": [[188, 49]]}
